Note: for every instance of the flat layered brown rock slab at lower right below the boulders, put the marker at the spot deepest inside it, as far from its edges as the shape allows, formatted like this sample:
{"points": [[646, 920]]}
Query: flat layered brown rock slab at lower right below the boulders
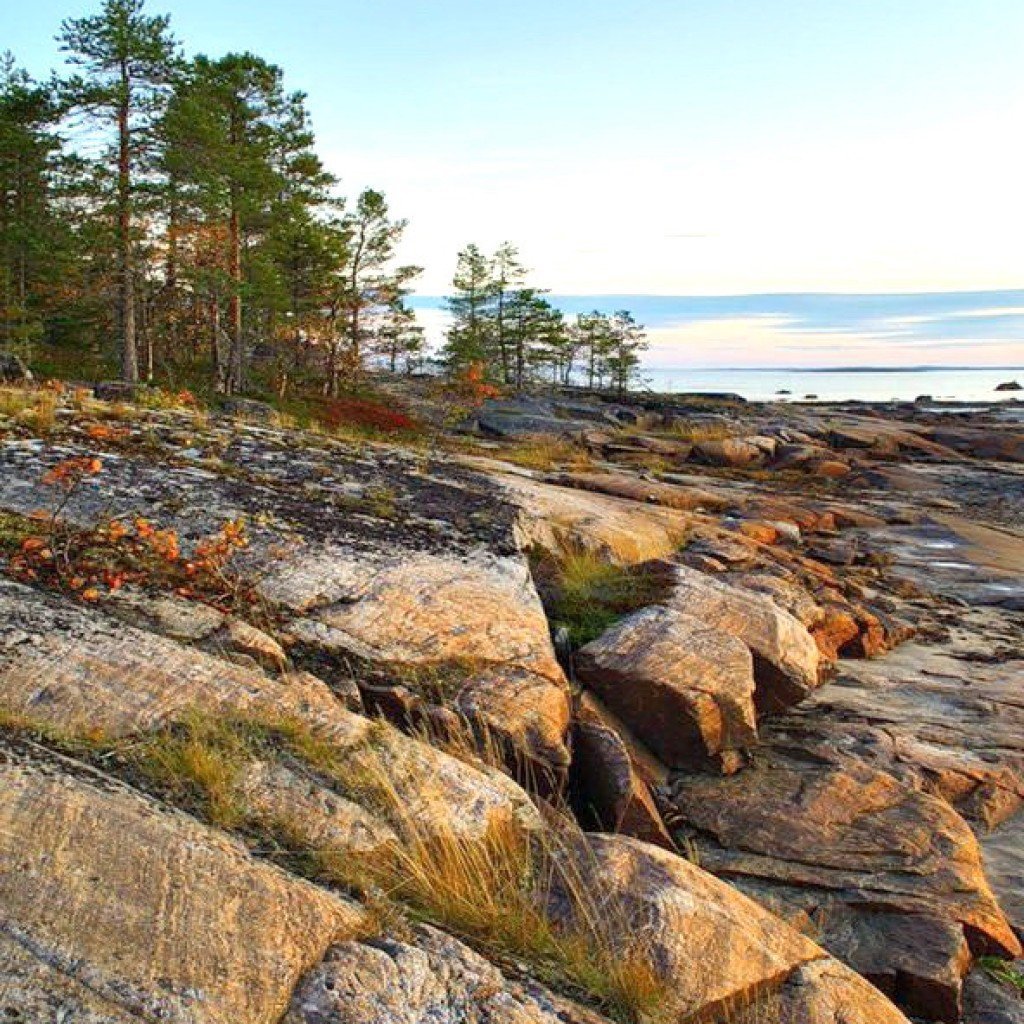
{"points": [[873, 839]]}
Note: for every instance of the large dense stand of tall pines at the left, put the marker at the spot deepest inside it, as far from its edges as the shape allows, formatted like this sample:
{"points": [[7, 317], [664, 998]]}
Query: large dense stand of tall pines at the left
{"points": [[179, 205]]}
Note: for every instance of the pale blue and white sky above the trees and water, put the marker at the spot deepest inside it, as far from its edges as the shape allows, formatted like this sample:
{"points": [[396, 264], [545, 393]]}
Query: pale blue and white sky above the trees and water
{"points": [[696, 148]]}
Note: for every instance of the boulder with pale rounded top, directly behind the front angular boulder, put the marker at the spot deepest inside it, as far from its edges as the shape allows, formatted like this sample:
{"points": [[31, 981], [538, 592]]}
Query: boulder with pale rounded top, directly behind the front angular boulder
{"points": [[786, 658]]}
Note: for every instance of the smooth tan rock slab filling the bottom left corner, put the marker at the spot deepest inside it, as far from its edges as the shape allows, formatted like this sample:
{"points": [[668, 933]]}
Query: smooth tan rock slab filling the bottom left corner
{"points": [[134, 913]]}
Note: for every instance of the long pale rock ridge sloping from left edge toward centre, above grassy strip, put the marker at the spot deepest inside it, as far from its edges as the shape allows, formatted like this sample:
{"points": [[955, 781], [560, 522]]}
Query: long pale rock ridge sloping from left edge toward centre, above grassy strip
{"points": [[80, 672]]}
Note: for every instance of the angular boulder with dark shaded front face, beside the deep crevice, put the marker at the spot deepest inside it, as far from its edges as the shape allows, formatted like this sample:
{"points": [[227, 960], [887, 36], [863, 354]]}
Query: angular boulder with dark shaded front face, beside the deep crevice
{"points": [[687, 690]]}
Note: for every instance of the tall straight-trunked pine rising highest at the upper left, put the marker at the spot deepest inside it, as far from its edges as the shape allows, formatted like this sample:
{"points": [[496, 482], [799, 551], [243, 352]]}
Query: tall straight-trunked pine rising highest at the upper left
{"points": [[127, 60]]}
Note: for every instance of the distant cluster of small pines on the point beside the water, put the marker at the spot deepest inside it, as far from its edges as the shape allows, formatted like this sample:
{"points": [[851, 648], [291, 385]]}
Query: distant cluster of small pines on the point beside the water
{"points": [[510, 329]]}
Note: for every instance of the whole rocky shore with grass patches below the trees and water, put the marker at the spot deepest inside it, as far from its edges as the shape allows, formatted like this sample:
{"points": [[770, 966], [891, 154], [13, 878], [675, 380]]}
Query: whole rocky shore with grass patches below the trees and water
{"points": [[286, 716]]}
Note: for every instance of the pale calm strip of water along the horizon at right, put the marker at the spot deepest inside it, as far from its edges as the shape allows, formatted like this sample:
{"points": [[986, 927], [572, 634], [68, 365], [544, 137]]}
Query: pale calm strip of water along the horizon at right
{"points": [[841, 386]]}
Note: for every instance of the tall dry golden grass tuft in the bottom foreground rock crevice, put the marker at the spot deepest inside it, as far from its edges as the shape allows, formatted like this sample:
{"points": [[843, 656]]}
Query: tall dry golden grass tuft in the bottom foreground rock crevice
{"points": [[526, 898]]}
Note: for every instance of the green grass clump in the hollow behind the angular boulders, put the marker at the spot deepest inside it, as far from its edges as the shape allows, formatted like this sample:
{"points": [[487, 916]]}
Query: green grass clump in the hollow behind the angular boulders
{"points": [[585, 593]]}
